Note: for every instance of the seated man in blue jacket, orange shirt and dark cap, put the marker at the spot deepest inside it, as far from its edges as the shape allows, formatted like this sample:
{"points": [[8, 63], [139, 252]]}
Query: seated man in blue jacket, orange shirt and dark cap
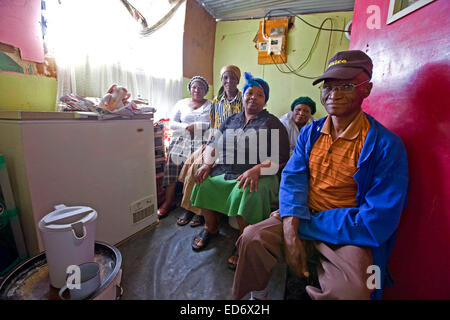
{"points": [[341, 197]]}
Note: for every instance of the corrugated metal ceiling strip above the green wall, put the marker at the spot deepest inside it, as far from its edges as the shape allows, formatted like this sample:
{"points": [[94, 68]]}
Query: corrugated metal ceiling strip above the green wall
{"points": [[253, 9]]}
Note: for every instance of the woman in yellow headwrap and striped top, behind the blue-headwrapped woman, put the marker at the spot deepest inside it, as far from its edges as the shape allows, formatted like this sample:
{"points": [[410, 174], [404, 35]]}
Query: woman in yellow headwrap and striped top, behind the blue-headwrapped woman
{"points": [[227, 103]]}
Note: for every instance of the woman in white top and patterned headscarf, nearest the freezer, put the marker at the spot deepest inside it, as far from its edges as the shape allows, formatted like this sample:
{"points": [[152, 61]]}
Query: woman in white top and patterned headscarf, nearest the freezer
{"points": [[189, 122]]}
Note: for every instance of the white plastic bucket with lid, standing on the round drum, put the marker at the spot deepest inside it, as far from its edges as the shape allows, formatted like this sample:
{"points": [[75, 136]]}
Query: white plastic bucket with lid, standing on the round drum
{"points": [[68, 234]]}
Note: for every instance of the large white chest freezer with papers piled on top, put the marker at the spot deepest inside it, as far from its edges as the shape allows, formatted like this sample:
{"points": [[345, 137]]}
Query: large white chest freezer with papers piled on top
{"points": [[108, 165]]}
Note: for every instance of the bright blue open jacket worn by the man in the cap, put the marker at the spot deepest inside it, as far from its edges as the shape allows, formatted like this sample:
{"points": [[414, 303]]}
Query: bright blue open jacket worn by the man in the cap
{"points": [[383, 182]]}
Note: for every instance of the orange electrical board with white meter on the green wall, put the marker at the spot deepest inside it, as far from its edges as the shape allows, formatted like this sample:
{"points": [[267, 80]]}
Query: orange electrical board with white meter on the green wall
{"points": [[271, 45]]}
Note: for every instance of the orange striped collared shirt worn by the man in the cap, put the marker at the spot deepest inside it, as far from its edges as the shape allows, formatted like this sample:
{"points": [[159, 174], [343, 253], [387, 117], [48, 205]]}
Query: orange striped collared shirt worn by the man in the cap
{"points": [[332, 165]]}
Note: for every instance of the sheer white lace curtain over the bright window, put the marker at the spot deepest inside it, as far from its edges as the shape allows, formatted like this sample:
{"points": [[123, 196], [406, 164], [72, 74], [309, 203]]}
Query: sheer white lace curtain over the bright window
{"points": [[97, 43]]}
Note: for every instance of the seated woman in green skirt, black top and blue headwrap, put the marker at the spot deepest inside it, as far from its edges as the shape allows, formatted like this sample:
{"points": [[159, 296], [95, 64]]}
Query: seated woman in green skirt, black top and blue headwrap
{"points": [[239, 175]]}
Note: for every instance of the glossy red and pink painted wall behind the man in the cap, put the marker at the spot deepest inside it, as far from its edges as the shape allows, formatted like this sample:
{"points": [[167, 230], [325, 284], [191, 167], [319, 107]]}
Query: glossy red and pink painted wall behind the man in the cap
{"points": [[411, 96]]}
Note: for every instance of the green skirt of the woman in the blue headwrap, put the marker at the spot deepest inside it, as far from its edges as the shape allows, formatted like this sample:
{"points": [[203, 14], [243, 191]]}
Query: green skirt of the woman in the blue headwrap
{"points": [[224, 196]]}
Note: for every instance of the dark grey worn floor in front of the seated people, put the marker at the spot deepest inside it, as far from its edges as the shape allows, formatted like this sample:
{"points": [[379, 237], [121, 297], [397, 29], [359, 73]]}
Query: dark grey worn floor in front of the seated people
{"points": [[160, 264]]}
